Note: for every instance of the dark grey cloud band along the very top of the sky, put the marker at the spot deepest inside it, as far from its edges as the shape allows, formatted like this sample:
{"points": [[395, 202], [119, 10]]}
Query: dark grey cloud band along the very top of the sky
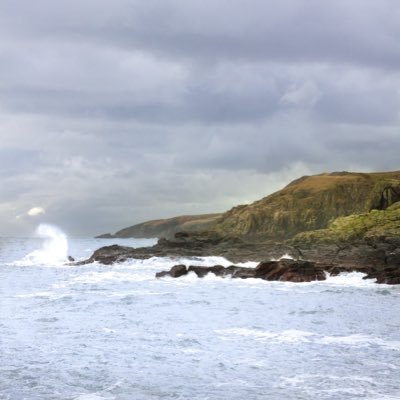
{"points": [[358, 31]]}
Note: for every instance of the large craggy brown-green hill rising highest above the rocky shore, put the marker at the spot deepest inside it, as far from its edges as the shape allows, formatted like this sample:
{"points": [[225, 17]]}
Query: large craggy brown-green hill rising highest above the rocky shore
{"points": [[311, 203]]}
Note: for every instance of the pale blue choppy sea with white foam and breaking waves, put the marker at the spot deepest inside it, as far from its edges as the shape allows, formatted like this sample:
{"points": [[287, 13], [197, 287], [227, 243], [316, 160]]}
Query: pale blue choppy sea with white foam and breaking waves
{"points": [[98, 332]]}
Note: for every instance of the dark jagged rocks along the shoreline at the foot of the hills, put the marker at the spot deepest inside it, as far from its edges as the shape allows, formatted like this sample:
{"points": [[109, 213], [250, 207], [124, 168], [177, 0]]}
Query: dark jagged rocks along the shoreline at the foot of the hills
{"points": [[378, 258]]}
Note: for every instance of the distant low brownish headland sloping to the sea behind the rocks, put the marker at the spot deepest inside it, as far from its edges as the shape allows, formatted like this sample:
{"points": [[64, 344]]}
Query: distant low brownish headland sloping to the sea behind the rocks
{"points": [[167, 227]]}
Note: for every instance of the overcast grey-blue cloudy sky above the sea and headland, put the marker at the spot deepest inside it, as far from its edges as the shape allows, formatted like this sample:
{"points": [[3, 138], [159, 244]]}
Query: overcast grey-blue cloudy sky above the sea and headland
{"points": [[117, 112]]}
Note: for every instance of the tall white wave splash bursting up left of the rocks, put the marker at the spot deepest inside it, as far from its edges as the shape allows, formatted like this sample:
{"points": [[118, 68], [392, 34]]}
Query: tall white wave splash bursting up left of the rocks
{"points": [[54, 248]]}
